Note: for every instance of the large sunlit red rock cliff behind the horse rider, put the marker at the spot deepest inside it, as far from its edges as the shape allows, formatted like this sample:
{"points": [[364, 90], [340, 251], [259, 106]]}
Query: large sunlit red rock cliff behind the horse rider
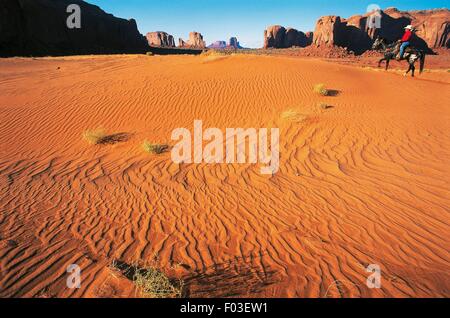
{"points": [[355, 33]]}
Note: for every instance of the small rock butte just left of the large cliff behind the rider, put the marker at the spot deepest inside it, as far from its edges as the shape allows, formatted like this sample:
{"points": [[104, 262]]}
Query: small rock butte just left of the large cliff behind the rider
{"points": [[276, 36]]}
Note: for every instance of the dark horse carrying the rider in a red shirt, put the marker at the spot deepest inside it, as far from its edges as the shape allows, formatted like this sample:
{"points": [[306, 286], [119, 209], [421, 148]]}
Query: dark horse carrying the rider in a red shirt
{"points": [[411, 55]]}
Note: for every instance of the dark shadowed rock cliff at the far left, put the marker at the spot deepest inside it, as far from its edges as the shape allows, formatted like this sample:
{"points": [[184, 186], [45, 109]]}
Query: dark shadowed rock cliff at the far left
{"points": [[38, 27]]}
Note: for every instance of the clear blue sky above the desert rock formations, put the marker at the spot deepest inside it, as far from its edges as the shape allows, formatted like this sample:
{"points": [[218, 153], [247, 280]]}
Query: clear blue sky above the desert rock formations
{"points": [[246, 19]]}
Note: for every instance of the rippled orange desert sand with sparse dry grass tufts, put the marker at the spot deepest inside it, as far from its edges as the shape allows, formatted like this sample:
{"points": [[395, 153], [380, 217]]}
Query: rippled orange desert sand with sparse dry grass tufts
{"points": [[365, 181]]}
